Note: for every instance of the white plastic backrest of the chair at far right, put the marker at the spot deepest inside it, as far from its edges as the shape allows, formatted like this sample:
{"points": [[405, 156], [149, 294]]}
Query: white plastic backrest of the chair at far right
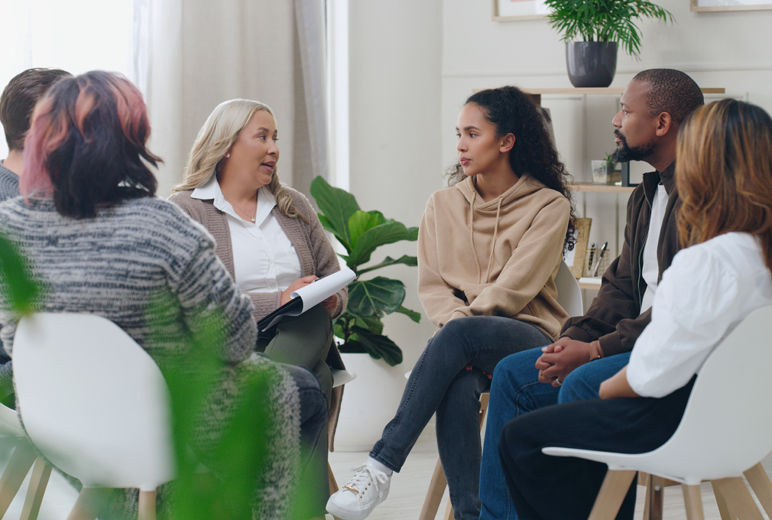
{"points": [[727, 425]]}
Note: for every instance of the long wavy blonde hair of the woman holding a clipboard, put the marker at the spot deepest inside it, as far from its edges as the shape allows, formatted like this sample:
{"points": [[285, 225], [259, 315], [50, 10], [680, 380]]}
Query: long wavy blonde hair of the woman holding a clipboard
{"points": [[213, 141]]}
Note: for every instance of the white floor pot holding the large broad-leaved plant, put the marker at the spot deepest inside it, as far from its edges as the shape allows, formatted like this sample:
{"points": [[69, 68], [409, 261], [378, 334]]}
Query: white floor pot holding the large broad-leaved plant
{"points": [[369, 401]]}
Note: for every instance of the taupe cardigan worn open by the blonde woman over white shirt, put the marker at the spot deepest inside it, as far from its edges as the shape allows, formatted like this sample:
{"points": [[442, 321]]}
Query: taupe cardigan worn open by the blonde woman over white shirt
{"points": [[312, 247]]}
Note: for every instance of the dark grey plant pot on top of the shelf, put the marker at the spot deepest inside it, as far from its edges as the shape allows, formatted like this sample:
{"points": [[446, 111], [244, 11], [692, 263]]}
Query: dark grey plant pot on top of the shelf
{"points": [[591, 64]]}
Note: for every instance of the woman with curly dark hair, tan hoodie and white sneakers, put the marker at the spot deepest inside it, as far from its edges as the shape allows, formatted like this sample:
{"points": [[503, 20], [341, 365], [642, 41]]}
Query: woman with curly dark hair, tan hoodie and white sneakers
{"points": [[489, 248]]}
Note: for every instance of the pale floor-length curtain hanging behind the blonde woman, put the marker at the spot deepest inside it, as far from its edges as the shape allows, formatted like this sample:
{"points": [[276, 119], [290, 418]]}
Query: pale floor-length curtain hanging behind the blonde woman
{"points": [[201, 53]]}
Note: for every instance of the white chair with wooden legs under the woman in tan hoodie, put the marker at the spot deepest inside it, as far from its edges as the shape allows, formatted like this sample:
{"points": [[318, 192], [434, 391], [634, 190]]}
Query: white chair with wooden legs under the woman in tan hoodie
{"points": [[570, 298]]}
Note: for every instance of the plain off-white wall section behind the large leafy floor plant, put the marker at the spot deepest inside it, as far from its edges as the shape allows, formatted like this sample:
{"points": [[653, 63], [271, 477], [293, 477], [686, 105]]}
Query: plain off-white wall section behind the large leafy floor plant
{"points": [[395, 84]]}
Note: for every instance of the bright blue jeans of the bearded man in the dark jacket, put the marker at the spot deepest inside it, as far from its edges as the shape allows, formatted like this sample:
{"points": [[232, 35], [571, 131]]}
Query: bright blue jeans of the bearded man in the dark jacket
{"points": [[516, 390]]}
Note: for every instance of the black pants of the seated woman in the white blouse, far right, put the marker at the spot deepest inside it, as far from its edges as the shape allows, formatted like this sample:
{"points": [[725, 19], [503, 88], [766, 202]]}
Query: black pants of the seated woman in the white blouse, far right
{"points": [[564, 488]]}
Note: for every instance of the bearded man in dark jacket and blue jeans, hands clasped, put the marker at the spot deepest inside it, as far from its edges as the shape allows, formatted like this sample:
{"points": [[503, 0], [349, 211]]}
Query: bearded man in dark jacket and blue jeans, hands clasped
{"points": [[595, 346]]}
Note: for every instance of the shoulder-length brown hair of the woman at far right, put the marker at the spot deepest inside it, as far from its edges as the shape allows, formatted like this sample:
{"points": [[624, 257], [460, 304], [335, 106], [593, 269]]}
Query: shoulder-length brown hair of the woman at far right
{"points": [[724, 174]]}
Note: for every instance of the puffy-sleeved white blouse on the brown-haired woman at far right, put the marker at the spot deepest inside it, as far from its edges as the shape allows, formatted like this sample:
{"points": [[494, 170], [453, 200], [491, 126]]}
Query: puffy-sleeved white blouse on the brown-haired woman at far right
{"points": [[707, 291]]}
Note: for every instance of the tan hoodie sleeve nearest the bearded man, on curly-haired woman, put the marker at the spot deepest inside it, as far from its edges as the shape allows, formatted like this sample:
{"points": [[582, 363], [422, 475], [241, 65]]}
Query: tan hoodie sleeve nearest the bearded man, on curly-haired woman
{"points": [[533, 262]]}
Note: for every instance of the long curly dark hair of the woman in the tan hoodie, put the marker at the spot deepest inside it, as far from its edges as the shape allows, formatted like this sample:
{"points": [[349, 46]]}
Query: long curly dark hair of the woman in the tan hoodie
{"points": [[510, 110]]}
